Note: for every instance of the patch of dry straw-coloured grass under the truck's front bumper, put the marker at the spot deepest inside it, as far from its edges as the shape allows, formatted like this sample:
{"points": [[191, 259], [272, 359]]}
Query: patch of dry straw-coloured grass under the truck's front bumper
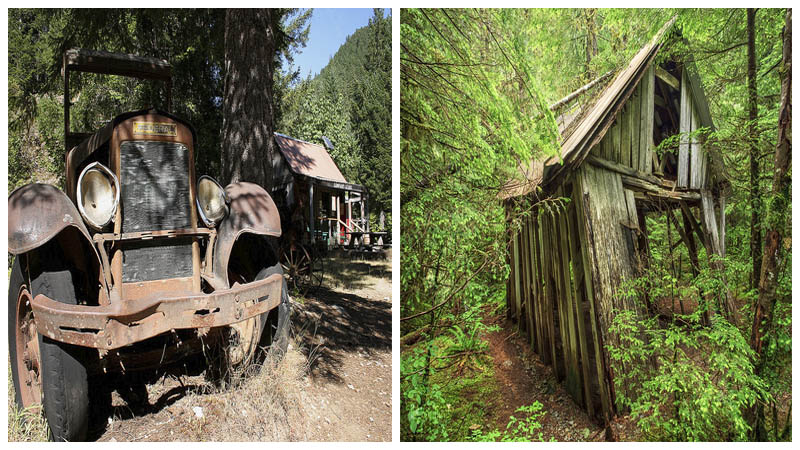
{"points": [[263, 404]]}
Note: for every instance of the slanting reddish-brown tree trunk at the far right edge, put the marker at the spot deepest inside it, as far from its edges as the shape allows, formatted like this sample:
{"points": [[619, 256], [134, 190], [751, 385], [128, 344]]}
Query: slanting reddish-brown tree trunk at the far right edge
{"points": [[779, 205]]}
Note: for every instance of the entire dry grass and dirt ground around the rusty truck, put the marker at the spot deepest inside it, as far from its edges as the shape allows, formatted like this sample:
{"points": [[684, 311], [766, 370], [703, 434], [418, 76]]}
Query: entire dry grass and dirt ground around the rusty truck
{"points": [[334, 383]]}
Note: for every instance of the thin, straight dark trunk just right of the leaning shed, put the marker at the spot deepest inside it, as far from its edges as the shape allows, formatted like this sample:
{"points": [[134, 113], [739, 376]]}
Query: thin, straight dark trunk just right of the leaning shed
{"points": [[752, 109]]}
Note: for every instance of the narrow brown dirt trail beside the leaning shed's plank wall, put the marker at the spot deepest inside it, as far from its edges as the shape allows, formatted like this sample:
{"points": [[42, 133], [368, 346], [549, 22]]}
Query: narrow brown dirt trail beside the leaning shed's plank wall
{"points": [[523, 379]]}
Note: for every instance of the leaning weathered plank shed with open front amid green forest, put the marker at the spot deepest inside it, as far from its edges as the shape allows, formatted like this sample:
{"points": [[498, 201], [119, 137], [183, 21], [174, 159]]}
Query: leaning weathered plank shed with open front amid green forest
{"points": [[567, 263]]}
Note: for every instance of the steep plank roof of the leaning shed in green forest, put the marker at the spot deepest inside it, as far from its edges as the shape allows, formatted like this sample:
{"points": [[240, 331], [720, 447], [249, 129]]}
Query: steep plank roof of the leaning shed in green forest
{"points": [[584, 125]]}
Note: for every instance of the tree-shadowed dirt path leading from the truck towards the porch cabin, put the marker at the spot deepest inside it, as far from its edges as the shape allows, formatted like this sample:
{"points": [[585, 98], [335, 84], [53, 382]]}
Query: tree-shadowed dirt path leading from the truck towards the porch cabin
{"points": [[349, 331]]}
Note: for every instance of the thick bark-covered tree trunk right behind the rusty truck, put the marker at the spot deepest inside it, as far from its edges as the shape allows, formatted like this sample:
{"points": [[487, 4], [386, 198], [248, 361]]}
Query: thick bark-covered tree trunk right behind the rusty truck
{"points": [[248, 149]]}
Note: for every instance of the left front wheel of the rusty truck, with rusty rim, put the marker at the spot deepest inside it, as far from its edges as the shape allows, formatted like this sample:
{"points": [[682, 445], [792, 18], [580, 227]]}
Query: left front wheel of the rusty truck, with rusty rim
{"points": [[45, 371]]}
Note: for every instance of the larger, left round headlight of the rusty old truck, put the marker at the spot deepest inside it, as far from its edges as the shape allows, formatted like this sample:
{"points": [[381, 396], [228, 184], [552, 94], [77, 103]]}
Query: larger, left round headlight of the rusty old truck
{"points": [[98, 195]]}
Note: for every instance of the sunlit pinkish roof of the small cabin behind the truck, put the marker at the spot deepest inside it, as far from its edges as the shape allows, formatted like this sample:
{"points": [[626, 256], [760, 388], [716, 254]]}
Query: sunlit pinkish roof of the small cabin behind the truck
{"points": [[306, 158]]}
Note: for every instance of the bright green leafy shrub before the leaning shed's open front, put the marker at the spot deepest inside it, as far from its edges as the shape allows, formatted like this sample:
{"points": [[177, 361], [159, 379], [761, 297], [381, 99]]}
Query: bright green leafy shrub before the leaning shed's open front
{"points": [[684, 381]]}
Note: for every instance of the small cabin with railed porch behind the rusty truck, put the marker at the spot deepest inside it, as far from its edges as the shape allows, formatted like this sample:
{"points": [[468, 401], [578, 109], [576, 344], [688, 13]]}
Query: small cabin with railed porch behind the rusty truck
{"points": [[317, 203]]}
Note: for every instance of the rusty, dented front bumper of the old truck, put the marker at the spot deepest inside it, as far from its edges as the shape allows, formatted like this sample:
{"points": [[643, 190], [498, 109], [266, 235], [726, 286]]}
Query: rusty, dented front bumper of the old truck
{"points": [[126, 322]]}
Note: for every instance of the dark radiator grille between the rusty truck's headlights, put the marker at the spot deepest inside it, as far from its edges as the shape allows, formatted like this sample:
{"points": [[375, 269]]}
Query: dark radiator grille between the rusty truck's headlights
{"points": [[155, 196]]}
